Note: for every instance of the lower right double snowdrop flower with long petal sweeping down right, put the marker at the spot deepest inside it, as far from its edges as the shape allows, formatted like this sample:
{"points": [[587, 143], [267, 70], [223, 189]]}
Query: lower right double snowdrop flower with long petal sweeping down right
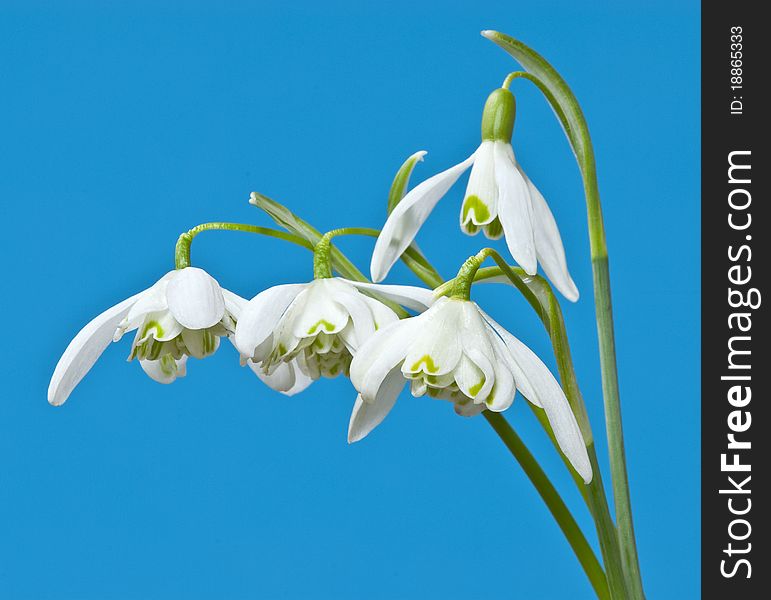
{"points": [[455, 351]]}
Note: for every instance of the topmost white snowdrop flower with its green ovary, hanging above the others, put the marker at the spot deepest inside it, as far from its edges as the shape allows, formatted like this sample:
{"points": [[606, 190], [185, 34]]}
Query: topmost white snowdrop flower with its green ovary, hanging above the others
{"points": [[500, 200]]}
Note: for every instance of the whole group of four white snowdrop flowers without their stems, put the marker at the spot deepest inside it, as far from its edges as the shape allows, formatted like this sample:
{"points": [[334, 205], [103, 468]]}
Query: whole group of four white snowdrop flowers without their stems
{"points": [[292, 335]]}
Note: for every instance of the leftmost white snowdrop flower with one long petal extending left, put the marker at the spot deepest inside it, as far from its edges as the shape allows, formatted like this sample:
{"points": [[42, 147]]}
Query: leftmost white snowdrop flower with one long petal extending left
{"points": [[183, 314]]}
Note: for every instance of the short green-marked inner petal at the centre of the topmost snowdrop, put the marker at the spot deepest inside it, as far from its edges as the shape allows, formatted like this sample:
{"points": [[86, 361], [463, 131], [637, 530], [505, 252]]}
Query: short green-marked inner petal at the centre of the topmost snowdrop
{"points": [[480, 205]]}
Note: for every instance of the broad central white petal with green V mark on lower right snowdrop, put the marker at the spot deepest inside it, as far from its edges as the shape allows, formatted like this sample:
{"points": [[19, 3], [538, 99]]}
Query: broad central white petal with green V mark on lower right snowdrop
{"points": [[437, 350]]}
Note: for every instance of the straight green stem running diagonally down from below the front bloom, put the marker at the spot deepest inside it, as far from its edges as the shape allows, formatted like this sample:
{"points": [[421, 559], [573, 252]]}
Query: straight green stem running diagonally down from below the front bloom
{"points": [[553, 501]]}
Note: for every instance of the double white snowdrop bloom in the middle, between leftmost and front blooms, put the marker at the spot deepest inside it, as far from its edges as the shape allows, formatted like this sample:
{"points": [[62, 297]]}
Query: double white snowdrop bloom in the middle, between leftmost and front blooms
{"points": [[296, 333]]}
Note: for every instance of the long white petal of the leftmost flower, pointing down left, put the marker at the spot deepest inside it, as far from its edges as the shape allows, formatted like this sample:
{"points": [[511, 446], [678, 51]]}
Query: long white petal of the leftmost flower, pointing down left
{"points": [[84, 349]]}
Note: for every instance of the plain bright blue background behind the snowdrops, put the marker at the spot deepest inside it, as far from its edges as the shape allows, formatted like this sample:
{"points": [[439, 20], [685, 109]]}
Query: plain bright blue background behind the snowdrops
{"points": [[124, 124]]}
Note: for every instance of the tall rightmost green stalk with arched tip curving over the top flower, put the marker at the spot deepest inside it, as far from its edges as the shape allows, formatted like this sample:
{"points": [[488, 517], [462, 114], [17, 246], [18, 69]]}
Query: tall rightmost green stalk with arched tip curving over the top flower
{"points": [[571, 117]]}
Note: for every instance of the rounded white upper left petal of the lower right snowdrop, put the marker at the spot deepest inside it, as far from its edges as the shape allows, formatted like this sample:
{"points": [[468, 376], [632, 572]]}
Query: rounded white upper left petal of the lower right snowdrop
{"points": [[380, 354]]}
